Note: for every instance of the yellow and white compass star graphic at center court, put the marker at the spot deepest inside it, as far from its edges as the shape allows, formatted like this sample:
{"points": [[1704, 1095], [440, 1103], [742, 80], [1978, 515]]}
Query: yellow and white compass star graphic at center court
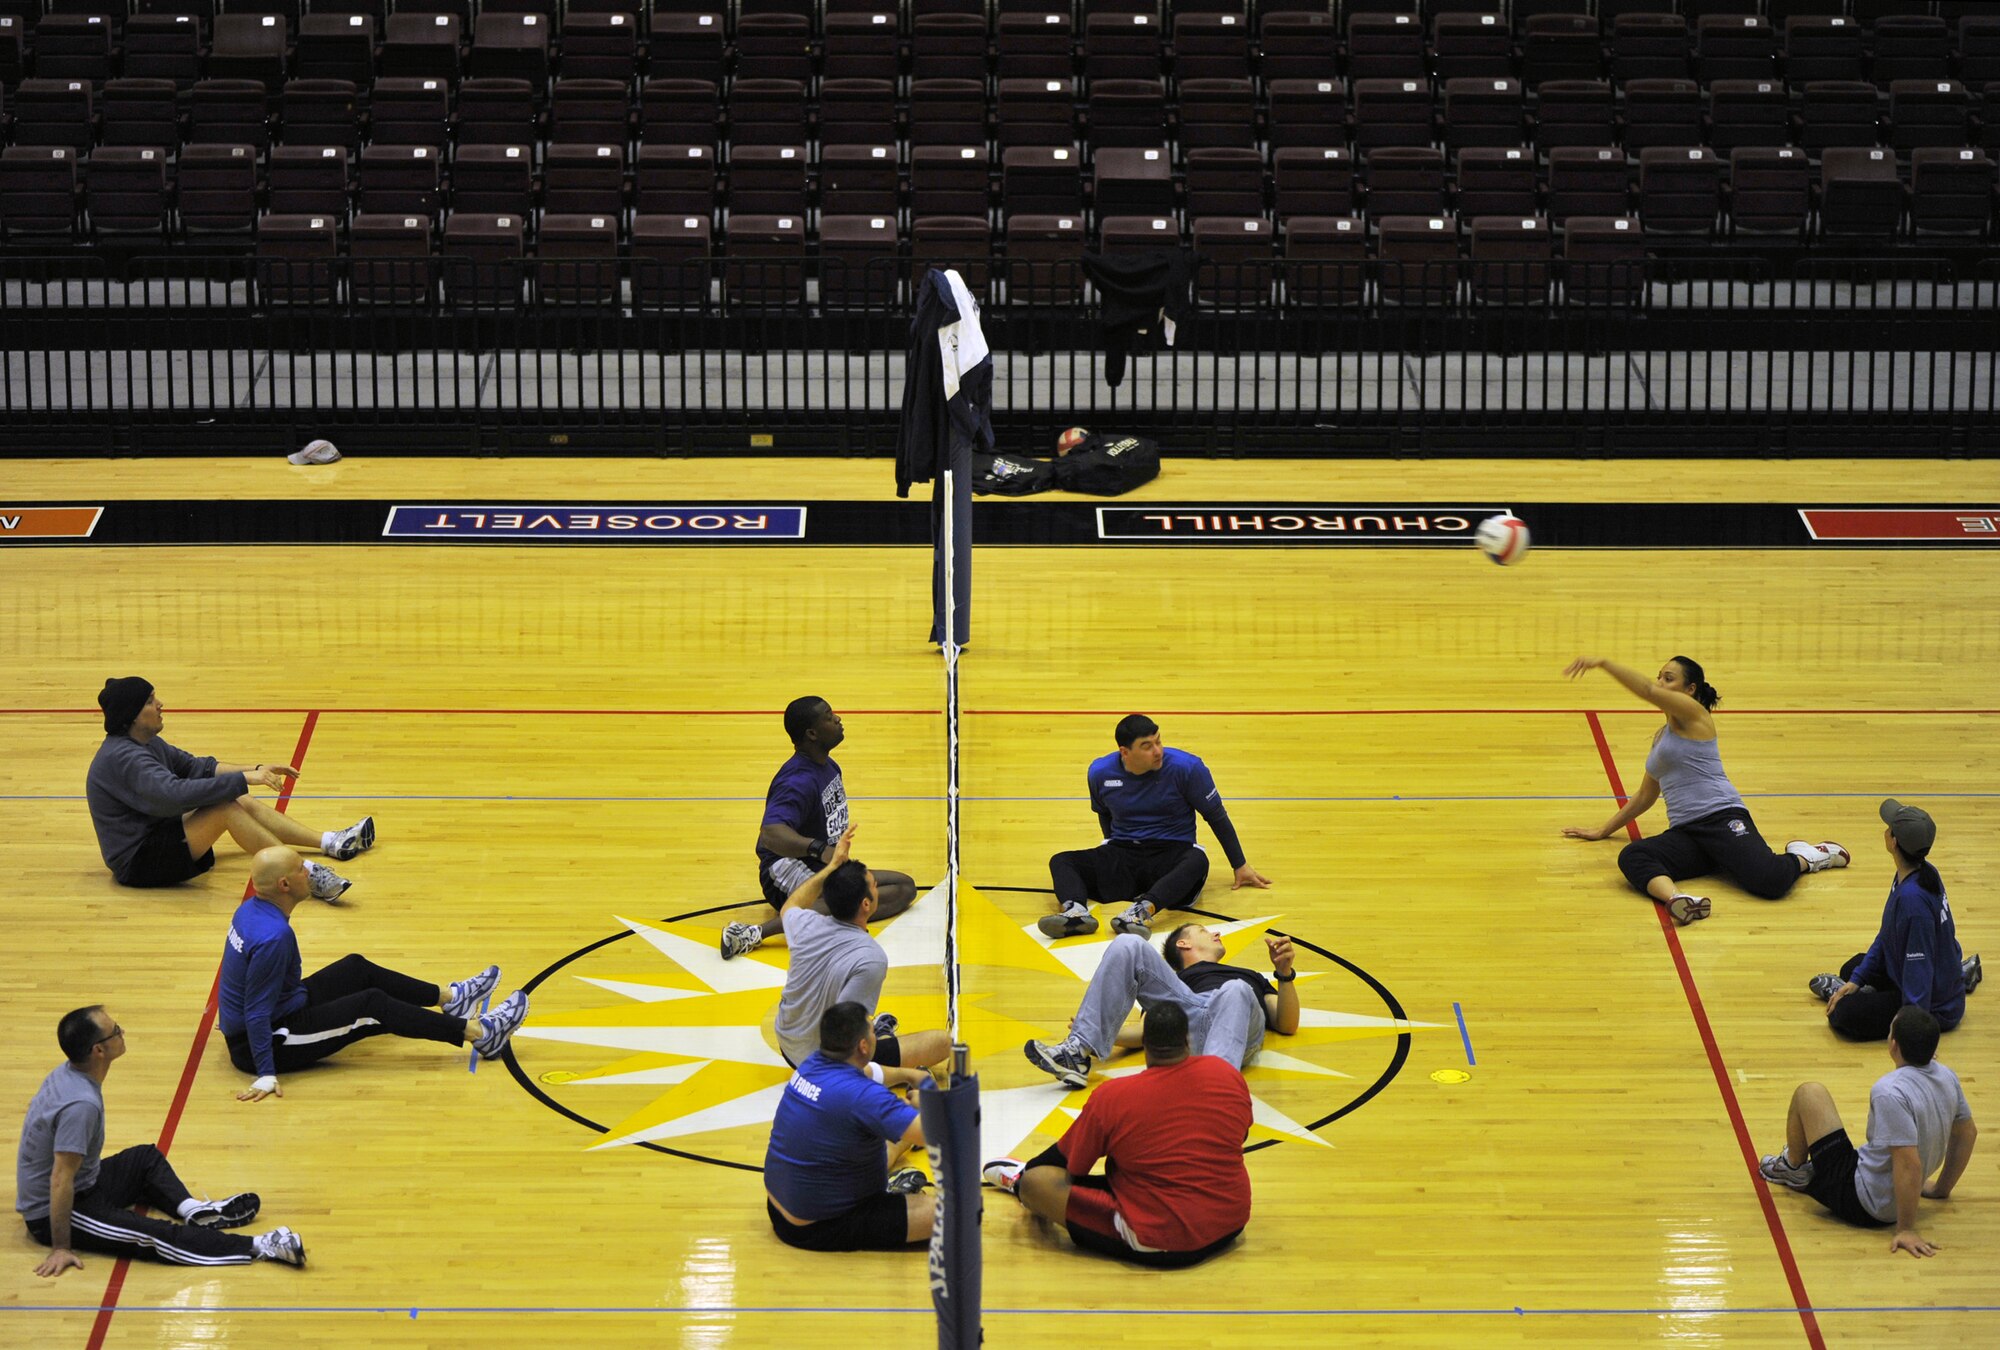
{"points": [[685, 1061]]}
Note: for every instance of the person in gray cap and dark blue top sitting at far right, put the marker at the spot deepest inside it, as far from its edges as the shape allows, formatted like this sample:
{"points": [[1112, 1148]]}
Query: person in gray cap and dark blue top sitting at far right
{"points": [[1915, 959]]}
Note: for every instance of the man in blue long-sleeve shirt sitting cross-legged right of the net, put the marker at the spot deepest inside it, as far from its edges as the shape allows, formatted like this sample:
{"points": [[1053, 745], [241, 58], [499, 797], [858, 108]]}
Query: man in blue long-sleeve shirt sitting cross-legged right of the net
{"points": [[1147, 799]]}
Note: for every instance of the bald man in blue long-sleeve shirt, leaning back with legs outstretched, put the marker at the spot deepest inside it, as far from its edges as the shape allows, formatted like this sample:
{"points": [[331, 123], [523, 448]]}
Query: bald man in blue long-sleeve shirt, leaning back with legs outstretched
{"points": [[277, 1021]]}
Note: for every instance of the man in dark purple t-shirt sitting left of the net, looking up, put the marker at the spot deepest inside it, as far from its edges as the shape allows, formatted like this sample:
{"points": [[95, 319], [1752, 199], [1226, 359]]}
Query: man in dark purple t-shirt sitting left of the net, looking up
{"points": [[805, 817]]}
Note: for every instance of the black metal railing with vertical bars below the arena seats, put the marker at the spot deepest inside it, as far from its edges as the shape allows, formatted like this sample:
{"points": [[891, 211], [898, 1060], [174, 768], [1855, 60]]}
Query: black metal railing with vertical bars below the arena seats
{"points": [[1301, 355]]}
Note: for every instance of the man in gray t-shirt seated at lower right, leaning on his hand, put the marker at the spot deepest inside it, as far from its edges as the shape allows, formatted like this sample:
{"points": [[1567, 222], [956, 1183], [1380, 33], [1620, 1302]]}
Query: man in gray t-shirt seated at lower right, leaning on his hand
{"points": [[1917, 1123]]}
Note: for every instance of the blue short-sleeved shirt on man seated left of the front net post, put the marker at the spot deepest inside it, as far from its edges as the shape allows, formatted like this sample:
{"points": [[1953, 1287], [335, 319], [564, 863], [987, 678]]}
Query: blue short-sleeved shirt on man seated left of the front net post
{"points": [[827, 1143]]}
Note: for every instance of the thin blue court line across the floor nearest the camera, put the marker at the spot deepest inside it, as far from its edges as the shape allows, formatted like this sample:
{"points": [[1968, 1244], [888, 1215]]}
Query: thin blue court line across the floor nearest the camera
{"points": [[927, 1311]]}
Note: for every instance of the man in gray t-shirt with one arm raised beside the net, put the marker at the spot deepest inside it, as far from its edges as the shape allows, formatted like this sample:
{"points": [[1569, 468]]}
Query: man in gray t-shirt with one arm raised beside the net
{"points": [[835, 963]]}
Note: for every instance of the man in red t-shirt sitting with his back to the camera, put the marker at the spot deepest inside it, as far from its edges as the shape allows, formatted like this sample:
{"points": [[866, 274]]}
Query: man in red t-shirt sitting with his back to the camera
{"points": [[1175, 1187]]}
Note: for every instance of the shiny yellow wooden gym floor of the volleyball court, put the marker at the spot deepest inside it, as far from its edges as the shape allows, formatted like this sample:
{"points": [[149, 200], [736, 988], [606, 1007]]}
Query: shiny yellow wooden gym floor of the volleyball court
{"points": [[1523, 1113]]}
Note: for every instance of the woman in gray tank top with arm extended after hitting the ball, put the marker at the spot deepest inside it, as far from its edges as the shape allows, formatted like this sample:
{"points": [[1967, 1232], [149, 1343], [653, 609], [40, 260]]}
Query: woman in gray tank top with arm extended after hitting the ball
{"points": [[1709, 829]]}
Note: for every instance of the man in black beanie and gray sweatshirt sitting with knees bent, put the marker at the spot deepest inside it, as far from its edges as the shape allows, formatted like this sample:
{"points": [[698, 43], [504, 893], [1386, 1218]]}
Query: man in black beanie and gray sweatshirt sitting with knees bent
{"points": [[159, 811]]}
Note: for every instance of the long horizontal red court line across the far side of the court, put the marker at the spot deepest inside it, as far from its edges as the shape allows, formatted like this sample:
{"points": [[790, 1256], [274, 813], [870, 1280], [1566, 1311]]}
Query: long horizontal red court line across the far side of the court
{"points": [[1059, 713]]}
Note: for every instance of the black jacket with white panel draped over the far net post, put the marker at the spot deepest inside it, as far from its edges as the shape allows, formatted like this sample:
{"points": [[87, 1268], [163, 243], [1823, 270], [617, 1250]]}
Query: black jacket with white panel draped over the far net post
{"points": [[949, 381]]}
